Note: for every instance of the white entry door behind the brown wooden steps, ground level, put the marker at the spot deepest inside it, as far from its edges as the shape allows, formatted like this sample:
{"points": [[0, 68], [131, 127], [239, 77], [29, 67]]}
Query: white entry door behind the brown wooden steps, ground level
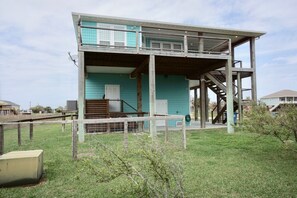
{"points": [[112, 92]]}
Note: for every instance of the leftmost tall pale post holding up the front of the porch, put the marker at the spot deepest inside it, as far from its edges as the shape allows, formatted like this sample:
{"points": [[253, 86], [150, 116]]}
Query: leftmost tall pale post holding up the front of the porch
{"points": [[81, 95]]}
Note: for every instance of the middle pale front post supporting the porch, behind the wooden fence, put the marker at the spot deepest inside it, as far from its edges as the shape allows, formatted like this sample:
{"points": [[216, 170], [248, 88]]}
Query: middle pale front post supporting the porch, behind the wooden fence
{"points": [[152, 95]]}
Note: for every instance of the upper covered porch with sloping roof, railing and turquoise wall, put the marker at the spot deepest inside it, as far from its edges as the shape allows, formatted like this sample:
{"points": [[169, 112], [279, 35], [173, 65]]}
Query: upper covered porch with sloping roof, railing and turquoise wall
{"points": [[119, 35]]}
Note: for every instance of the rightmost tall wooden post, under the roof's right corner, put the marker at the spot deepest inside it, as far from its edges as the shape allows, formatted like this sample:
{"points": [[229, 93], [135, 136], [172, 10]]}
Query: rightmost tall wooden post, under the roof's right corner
{"points": [[253, 65]]}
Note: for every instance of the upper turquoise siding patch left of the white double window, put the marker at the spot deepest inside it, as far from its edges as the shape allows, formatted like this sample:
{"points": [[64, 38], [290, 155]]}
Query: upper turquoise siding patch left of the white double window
{"points": [[89, 36]]}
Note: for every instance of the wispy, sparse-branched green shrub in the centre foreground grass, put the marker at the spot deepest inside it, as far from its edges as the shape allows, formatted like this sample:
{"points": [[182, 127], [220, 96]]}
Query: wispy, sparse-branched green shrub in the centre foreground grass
{"points": [[153, 172]]}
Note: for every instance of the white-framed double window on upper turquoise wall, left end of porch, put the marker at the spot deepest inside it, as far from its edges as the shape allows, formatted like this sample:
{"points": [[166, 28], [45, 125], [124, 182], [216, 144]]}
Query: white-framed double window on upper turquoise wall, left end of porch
{"points": [[115, 37]]}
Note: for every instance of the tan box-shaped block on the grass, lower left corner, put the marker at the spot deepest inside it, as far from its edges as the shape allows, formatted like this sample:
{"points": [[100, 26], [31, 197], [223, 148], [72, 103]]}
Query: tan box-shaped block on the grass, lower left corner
{"points": [[21, 167]]}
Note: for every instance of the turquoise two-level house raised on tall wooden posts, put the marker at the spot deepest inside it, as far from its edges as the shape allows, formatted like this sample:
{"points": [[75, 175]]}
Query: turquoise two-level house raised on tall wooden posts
{"points": [[130, 67]]}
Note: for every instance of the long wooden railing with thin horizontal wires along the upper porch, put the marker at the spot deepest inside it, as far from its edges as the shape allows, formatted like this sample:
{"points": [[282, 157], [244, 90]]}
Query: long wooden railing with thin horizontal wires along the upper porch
{"points": [[142, 41]]}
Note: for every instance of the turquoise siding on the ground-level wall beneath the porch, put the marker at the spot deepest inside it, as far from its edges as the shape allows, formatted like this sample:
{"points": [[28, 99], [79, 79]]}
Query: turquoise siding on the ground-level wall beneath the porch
{"points": [[175, 89]]}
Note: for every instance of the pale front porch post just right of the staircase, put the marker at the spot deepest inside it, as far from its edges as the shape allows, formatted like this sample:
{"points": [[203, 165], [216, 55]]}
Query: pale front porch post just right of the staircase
{"points": [[230, 108]]}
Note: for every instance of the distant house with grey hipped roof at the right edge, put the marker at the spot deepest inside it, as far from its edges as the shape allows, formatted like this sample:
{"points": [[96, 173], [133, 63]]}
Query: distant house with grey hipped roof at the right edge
{"points": [[274, 100]]}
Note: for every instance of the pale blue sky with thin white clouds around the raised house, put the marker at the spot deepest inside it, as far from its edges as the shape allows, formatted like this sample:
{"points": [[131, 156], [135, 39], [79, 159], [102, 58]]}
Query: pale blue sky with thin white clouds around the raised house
{"points": [[36, 35]]}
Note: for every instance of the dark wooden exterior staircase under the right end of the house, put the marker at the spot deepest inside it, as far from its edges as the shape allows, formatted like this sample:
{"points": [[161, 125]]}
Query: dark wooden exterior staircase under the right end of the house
{"points": [[216, 82]]}
